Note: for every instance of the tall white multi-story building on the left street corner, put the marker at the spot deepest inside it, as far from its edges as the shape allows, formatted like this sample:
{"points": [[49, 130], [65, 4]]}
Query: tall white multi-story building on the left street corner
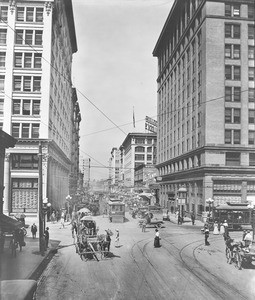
{"points": [[37, 102]]}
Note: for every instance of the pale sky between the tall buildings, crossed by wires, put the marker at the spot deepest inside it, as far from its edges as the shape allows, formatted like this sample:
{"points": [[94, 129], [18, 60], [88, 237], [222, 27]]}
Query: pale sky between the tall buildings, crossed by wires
{"points": [[115, 72]]}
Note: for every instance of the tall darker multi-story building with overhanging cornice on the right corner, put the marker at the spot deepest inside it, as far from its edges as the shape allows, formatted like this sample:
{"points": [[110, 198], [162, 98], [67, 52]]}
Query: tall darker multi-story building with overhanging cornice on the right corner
{"points": [[206, 112]]}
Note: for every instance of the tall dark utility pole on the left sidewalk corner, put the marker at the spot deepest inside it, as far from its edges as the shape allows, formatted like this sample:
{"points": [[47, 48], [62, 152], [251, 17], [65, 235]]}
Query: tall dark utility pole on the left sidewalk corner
{"points": [[40, 199]]}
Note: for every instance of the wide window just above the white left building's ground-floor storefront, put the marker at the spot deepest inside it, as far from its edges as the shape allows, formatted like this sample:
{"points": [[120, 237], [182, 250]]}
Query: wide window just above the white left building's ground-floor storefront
{"points": [[24, 161]]}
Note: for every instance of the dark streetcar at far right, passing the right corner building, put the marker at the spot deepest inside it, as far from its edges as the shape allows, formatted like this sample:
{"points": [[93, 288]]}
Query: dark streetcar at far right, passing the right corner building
{"points": [[237, 215]]}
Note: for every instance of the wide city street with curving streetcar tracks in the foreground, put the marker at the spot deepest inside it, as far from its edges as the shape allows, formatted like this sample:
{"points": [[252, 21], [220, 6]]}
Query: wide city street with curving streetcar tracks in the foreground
{"points": [[183, 268]]}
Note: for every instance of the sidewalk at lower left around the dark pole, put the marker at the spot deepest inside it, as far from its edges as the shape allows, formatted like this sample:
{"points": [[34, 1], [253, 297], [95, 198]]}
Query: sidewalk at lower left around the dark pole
{"points": [[26, 262]]}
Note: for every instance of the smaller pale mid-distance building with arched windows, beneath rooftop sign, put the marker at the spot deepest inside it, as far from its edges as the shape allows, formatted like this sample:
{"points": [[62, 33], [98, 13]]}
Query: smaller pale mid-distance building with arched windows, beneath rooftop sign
{"points": [[137, 149]]}
